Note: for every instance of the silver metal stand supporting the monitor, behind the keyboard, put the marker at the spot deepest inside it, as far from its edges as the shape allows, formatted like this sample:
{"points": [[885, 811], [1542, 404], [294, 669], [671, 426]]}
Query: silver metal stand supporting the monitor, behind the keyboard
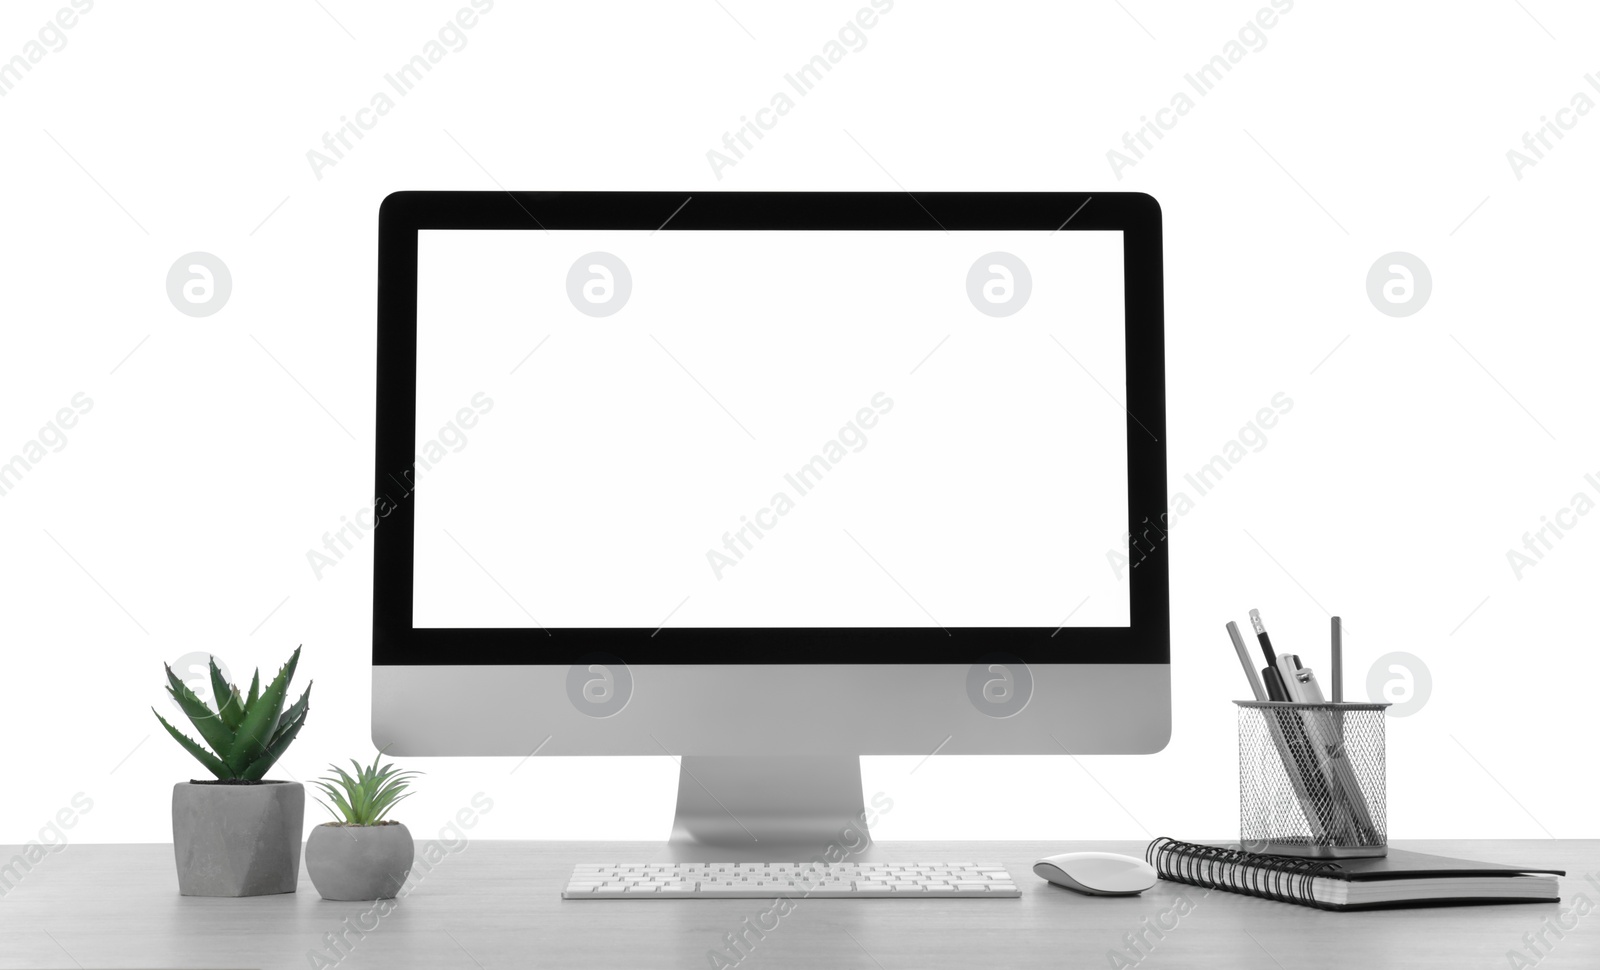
{"points": [[770, 809]]}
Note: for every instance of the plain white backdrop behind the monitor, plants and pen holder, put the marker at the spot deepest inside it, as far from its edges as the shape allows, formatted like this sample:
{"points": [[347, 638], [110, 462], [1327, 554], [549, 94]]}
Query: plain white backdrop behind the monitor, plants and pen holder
{"points": [[1417, 454]]}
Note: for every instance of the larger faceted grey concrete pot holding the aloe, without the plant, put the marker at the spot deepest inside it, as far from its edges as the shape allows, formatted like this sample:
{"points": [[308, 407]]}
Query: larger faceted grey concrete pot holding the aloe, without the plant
{"points": [[238, 840]]}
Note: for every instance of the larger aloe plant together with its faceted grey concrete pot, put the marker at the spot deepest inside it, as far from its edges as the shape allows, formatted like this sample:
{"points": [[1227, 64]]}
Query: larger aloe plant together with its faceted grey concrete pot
{"points": [[239, 835]]}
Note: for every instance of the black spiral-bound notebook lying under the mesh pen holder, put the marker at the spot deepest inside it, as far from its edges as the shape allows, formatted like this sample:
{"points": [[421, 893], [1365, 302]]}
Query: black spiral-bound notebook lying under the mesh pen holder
{"points": [[1399, 880]]}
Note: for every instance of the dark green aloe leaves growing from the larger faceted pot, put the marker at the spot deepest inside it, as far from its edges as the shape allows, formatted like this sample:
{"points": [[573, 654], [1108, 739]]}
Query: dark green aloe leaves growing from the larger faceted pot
{"points": [[247, 734]]}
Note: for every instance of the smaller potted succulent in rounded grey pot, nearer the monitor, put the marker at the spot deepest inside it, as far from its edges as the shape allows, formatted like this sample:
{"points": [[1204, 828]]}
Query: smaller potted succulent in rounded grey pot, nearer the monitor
{"points": [[361, 856]]}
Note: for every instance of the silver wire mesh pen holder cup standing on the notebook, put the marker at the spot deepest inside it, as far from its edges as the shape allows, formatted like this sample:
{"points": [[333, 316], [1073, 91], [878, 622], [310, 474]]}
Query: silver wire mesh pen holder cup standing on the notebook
{"points": [[1311, 780]]}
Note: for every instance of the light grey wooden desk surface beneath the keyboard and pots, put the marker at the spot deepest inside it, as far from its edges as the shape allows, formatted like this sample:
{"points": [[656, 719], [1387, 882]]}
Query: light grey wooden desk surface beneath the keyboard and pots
{"points": [[497, 905]]}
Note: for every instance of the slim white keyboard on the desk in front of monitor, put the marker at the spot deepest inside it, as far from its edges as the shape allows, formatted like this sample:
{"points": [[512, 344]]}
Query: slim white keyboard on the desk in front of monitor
{"points": [[766, 881]]}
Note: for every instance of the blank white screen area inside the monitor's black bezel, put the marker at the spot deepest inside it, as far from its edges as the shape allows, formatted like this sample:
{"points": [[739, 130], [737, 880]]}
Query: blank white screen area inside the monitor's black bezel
{"points": [[620, 451]]}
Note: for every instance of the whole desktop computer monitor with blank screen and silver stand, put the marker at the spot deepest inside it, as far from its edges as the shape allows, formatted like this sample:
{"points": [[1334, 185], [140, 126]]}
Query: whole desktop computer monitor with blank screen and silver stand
{"points": [[767, 483]]}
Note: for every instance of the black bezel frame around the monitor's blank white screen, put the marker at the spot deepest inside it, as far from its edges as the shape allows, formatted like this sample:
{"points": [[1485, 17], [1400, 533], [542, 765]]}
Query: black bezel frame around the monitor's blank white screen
{"points": [[404, 214]]}
